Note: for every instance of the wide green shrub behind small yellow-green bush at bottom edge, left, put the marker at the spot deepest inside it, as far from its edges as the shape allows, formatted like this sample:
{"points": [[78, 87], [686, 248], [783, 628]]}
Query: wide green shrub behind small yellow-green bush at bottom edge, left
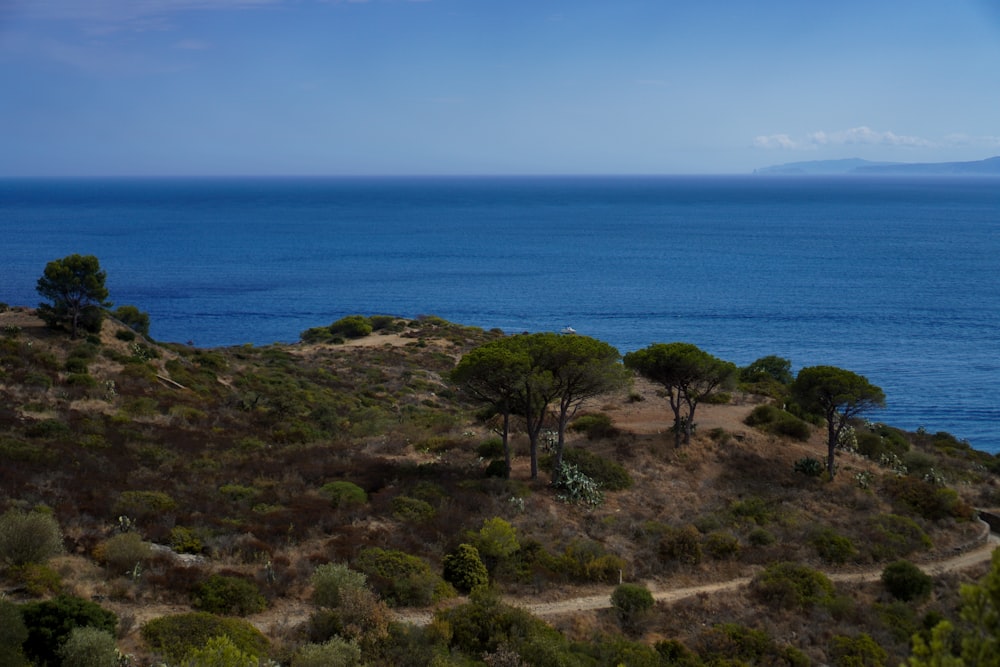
{"points": [[176, 636]]}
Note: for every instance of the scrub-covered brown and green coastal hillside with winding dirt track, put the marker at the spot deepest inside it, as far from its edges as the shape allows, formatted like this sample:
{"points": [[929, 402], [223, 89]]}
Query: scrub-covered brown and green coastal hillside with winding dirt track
{"points": [[342, 501]]}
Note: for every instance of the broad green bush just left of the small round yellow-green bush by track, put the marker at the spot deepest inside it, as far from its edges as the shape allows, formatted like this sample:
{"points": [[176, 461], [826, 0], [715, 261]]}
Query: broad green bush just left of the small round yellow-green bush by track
{"points": [[400, 578]]}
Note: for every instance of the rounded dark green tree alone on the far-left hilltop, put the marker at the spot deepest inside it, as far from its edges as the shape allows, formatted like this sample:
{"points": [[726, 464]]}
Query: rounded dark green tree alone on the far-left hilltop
{"points": [[75, 286]]}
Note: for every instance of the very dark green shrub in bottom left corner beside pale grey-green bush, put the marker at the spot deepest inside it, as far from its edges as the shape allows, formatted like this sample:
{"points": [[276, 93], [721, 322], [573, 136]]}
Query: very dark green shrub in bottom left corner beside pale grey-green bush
{"points": [[50, 623]]}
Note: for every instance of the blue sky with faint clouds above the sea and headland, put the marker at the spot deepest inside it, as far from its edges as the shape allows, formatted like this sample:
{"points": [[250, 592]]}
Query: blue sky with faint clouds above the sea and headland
{"points": [[289, 87]]}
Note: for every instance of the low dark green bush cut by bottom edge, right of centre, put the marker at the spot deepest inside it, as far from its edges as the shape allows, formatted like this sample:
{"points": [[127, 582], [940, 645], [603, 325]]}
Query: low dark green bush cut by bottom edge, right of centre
{"points": [[732, 644]]}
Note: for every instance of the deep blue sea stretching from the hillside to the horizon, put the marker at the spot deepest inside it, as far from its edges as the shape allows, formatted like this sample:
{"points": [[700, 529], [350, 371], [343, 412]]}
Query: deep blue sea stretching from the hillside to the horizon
{"points": [[896, 279]]}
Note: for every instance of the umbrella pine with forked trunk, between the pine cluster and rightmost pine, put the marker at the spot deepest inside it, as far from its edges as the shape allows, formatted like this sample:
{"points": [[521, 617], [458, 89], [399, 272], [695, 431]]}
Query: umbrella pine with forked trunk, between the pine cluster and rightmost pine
{"points": [[689, 375]]}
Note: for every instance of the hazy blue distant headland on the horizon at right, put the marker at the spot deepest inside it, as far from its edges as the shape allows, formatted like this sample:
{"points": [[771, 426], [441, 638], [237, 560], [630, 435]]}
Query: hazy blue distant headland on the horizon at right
{"points": [[857, 166]]}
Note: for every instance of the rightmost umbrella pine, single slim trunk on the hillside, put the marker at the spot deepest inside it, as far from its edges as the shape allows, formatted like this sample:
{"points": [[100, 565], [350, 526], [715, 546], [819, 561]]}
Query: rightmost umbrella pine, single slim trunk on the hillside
{"points": [[838, 395]]}
